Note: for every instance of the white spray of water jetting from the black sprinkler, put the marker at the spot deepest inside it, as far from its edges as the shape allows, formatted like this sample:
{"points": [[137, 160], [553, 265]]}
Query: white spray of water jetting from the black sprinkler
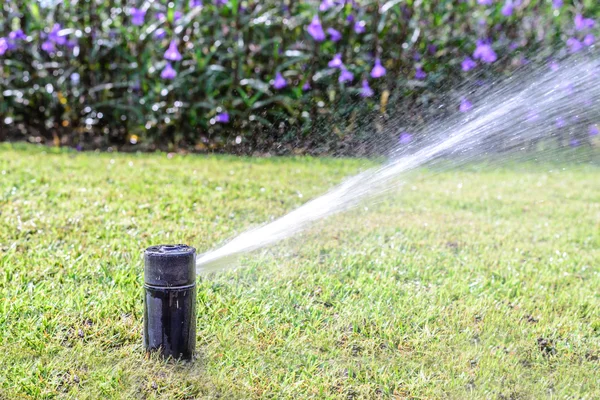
{"points": [[556, 106]]}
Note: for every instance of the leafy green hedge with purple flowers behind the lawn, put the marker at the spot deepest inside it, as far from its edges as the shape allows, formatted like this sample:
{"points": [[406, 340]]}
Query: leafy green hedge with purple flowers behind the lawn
{"points": [[262, 73]]}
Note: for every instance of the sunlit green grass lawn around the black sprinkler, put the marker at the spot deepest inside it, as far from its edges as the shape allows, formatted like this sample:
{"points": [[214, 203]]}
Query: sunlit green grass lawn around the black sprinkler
{"points": [[474, 283]]}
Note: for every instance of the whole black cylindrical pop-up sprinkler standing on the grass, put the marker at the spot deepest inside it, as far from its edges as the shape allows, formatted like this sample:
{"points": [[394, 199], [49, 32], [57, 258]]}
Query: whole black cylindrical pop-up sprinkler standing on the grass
{"points": [[170, 300]]}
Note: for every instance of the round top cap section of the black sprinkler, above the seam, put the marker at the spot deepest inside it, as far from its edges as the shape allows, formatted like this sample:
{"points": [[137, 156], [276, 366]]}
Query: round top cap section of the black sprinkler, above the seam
{"points": [[170, 265]]}
